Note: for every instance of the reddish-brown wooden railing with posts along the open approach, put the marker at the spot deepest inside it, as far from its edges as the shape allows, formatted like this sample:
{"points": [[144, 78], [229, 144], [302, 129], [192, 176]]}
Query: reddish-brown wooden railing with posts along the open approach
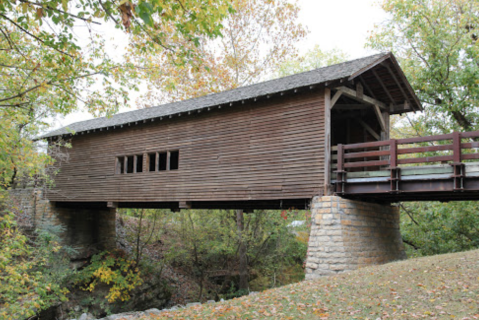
{"points": [[392, 154]]}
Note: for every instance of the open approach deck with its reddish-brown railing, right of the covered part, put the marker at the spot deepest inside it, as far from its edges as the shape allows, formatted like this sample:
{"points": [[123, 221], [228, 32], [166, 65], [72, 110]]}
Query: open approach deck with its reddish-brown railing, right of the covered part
{"points": [[400, 170]]}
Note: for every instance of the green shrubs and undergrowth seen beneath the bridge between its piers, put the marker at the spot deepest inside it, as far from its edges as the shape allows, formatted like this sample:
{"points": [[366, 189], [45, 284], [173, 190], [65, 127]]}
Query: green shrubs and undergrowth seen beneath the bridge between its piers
{"points": [[207, 242]]}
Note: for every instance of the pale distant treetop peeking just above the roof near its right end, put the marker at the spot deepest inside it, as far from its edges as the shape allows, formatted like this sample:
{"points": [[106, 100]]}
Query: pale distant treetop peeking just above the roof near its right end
{"points": [[313, 59]]}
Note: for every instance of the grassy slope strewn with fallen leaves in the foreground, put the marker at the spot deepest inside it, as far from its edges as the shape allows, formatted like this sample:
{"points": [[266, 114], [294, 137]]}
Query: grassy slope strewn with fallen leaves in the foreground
{"points": [[437, 287]]}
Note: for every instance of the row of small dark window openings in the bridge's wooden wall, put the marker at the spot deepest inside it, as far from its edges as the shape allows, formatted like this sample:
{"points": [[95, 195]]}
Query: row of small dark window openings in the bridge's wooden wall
{"points": [[157, 161]]}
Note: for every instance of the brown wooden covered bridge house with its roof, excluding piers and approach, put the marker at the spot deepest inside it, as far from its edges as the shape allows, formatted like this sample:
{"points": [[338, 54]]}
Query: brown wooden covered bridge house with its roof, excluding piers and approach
{"points": [[261, 146]]}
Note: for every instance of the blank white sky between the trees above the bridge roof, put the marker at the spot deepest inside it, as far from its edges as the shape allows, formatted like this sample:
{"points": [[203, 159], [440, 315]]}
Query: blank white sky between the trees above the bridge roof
{"points": [[342, 24]]}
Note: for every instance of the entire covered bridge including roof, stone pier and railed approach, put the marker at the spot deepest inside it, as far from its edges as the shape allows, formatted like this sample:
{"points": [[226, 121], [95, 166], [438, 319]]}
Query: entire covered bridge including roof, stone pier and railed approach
{"points": [[317, 140]]}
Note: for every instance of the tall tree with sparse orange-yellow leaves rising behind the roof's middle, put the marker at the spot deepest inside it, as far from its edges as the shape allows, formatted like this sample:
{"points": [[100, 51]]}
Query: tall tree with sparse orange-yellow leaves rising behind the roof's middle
{"points": [[258, 36]]}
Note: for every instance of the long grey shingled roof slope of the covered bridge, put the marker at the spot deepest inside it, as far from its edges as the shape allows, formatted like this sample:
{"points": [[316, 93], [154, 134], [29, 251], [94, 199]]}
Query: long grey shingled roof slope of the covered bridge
{"points": [[314, 77]]}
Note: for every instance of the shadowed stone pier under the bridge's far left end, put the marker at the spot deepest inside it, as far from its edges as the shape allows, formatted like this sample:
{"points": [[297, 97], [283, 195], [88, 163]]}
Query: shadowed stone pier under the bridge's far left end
{"points": [[87, 230]]}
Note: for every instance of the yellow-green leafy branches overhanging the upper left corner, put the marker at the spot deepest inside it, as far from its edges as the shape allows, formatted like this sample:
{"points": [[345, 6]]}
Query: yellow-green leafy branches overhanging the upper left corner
{"points": [[53, 61]]}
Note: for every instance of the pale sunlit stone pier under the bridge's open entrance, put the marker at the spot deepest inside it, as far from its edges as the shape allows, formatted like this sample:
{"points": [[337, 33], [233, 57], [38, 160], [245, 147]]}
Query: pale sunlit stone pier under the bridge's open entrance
{"points": [[347, 235]]}
